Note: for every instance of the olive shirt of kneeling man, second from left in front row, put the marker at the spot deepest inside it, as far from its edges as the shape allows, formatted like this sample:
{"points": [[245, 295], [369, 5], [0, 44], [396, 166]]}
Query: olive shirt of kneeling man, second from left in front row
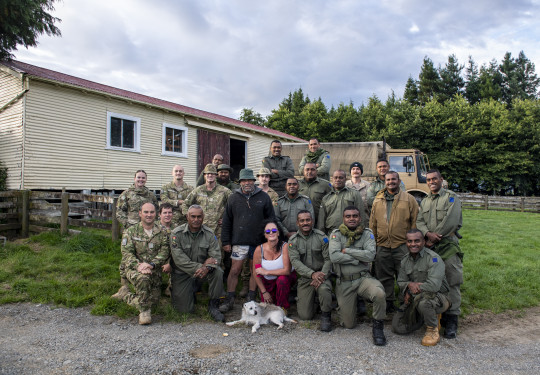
{"points": [[189, 251]]}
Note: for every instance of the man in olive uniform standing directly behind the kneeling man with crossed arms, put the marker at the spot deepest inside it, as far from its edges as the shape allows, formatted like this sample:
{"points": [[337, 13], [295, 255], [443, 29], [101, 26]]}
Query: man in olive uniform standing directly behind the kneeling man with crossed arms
{"points": [[333, 204]]}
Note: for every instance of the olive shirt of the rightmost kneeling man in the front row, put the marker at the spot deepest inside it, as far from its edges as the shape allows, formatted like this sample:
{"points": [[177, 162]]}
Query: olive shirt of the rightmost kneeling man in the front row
{"points": [[428, 268]]}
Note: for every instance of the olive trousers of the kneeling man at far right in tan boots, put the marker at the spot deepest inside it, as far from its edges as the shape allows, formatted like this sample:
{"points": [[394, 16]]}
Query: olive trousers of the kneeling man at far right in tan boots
{"points": [[426, 307]]}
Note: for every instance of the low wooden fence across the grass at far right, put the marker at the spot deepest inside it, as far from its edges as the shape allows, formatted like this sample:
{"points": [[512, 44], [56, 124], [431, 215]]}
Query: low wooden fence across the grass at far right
{"points": [[499, 203]]}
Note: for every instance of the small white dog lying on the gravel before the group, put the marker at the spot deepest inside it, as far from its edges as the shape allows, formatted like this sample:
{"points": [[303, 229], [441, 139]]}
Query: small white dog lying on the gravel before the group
{"points": [[261, 313]]}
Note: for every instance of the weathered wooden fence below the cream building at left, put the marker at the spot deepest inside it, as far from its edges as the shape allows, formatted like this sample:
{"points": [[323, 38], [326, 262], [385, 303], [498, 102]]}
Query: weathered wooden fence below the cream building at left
{"points": [[29, 211]]}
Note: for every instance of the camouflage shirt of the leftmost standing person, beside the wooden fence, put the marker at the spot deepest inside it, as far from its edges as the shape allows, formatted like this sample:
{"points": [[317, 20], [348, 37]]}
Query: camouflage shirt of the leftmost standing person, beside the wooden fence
{"points": [[129, 203]]}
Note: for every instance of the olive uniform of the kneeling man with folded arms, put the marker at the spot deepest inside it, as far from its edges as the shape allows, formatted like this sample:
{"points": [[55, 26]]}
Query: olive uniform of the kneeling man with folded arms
{"points": [[354, 278]]}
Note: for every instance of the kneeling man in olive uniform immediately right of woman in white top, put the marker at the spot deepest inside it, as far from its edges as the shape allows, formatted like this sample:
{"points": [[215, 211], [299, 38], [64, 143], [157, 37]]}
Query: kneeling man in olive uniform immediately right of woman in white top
{"points": [[308, 251]]}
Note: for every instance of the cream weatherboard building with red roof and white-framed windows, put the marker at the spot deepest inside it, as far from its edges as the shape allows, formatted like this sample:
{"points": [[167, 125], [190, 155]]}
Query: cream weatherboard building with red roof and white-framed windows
{"points": [[58, 131]]}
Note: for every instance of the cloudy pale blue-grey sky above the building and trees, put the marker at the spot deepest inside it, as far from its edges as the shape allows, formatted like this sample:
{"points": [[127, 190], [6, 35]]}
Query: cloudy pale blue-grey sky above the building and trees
{"points": [[222, 56]]}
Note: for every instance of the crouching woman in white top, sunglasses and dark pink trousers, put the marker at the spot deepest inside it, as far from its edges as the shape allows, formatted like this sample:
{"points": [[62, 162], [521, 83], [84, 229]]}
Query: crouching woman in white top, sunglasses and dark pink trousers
{"points": [[272, 266]]}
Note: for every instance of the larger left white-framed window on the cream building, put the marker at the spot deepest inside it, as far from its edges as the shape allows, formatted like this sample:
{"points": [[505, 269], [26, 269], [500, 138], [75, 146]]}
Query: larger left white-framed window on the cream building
{"points": [[123, 132]]}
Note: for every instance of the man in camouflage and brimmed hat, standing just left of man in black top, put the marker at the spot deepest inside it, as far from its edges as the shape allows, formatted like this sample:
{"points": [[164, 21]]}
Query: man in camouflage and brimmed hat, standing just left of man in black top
{"points": [[212, 197]]}
